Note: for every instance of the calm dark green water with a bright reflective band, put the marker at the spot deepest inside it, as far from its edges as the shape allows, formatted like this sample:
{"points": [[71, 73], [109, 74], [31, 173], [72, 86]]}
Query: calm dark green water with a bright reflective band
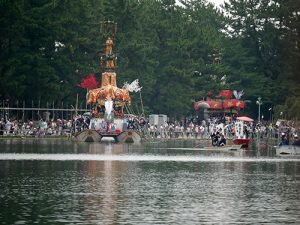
{"points": [[64, 182]]}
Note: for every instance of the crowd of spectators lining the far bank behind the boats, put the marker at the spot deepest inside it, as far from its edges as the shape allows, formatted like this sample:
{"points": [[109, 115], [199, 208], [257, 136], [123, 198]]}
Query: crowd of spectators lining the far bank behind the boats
{"points": [[217, 128]]}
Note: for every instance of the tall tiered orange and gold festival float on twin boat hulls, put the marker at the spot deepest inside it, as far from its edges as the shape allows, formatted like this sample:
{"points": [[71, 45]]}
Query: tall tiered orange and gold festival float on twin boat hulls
{"points": [[108, 120]]}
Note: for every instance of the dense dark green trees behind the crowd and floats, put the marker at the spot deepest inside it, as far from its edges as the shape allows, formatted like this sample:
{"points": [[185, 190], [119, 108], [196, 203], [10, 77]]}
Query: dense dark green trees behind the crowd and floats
{"points": [[177, 51]]}
